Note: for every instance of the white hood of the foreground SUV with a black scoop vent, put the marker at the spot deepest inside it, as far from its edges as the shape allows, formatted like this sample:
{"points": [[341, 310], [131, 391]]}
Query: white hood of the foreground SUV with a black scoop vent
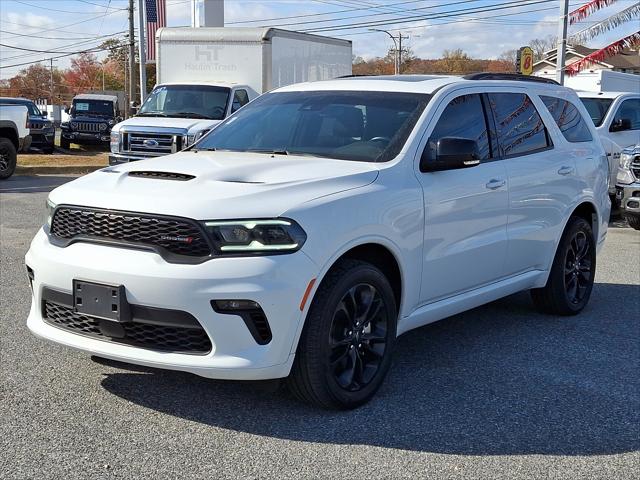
{"points": [[227, 185]]}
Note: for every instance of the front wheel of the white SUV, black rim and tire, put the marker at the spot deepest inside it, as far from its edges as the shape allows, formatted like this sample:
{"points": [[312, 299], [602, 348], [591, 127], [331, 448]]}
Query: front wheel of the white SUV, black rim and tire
{"points": [[344, 353]]}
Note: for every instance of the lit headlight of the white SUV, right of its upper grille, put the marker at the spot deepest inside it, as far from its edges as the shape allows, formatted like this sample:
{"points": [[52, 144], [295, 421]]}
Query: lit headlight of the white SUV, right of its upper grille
{"points": [[278, 235]]}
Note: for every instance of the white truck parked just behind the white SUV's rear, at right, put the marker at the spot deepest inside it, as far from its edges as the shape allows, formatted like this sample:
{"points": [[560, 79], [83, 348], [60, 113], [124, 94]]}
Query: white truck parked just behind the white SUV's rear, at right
{"points": [[616, 116]]}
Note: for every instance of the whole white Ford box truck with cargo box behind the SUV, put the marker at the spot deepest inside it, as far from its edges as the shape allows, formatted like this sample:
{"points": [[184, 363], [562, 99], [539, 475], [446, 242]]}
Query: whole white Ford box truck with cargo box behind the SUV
{"points": [[206, 74]]}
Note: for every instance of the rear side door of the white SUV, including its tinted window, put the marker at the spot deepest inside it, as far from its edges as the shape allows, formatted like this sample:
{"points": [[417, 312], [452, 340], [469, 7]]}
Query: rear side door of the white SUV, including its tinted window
{"points": [[541, 175]]}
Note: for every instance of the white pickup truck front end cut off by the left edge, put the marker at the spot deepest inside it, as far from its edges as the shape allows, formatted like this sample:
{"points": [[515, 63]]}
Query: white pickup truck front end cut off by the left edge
{"points": [[14, 136]]}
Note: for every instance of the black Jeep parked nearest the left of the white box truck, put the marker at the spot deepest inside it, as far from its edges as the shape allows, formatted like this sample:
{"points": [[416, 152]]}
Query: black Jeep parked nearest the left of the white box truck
{"points": [[91, 119]]}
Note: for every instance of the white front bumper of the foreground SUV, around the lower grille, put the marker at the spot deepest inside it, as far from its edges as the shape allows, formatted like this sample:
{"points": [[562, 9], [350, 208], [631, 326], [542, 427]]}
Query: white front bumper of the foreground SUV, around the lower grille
{"points": [[277, 283]]}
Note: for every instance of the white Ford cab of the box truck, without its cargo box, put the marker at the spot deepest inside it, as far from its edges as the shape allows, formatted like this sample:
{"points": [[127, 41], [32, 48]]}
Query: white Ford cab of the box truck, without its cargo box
{"points": [[174, 116]]}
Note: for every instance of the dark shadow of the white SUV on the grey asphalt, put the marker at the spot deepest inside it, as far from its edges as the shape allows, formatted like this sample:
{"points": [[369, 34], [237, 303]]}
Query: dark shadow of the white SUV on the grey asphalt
{"points": [[497, 380]]}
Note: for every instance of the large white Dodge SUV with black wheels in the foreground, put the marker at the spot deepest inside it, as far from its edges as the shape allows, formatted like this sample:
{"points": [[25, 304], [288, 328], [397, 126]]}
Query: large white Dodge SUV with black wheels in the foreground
{"points": [[315, 225]]}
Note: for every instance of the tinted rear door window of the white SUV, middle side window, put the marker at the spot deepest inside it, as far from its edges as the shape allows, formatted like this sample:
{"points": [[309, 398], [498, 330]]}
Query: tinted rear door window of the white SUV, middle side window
{"points": [[519, 128]]}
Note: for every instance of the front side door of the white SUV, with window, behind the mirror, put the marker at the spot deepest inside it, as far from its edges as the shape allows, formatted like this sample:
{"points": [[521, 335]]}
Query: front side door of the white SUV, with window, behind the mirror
{"points": [[465, 236]]}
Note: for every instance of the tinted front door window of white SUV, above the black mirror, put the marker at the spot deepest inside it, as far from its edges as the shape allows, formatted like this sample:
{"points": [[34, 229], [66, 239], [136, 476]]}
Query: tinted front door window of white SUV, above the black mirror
{"points": [[463, 118]]}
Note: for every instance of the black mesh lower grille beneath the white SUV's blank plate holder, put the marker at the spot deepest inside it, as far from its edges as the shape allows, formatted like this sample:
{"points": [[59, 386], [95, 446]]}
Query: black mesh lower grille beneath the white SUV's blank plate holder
{"points": [[193, 340]]}
